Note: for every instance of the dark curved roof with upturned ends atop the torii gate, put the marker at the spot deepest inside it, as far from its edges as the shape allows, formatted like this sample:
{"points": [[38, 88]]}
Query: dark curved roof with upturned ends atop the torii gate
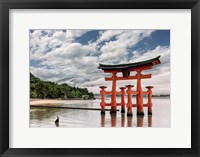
{"points": [[149, 62]]}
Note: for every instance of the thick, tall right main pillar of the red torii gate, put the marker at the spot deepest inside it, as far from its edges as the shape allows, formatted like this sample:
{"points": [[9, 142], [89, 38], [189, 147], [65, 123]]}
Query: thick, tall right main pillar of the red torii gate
{"points": [[139, 96]]}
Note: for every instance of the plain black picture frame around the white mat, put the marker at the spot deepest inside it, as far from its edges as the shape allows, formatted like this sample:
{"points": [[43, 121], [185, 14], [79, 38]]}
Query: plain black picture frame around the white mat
{"points": [[5, 5]]}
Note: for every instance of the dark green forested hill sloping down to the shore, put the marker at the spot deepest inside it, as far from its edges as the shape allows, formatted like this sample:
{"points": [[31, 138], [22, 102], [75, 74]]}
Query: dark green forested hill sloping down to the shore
{"points": [[46, 89]]}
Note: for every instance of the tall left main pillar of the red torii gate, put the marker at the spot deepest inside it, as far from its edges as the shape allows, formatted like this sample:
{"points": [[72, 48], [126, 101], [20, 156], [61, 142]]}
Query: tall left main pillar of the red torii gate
{"points": [[113, 96]]}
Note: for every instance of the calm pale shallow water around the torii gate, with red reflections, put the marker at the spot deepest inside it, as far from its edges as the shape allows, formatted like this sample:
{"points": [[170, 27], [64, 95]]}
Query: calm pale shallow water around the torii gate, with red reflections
{"points": [[75, 118]]}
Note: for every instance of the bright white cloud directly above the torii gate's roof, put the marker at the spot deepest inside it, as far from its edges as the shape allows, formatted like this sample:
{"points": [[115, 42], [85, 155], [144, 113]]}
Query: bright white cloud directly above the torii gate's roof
{"points": [[116, 50]]}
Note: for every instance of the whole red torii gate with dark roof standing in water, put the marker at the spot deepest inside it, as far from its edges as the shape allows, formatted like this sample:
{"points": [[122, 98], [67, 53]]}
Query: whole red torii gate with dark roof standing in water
{"points": [[126, 69]]}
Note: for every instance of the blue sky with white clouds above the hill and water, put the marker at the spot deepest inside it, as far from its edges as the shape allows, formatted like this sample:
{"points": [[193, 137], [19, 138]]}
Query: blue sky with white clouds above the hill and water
{"points": [[72, 56]]}
